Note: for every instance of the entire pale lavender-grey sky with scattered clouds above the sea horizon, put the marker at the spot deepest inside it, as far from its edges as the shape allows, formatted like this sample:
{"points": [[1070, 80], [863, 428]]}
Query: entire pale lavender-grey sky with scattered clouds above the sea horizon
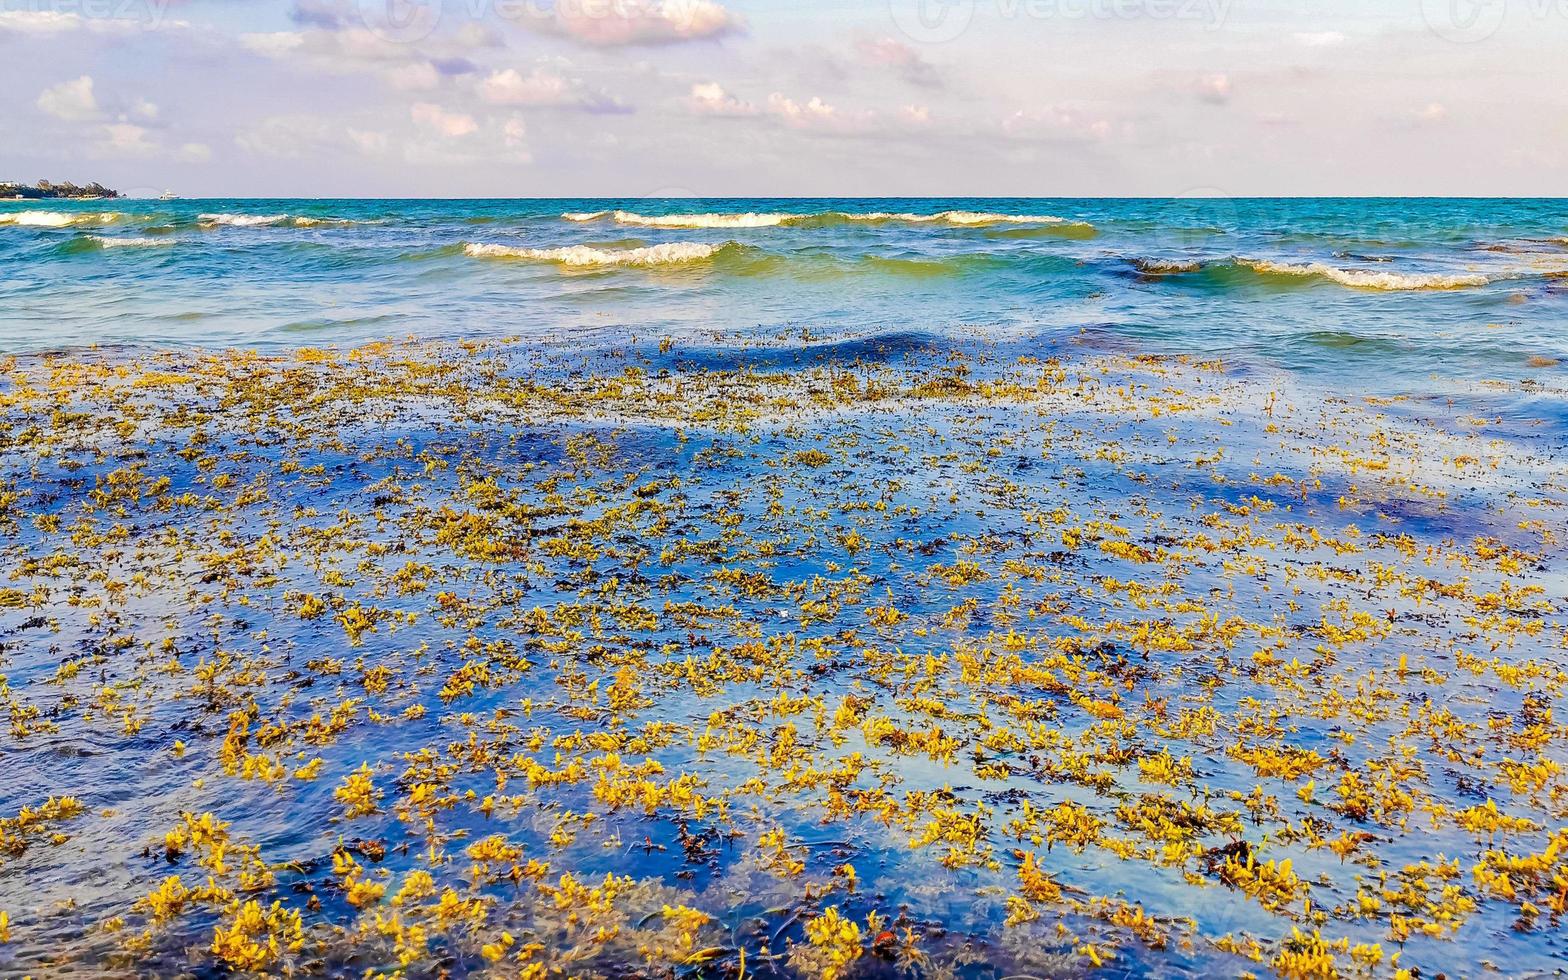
{"points": [[779, 98]]}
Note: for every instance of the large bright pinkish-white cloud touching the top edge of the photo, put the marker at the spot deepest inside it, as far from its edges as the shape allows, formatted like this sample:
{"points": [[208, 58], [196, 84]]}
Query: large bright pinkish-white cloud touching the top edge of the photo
{"points": [[626, 23]]}
